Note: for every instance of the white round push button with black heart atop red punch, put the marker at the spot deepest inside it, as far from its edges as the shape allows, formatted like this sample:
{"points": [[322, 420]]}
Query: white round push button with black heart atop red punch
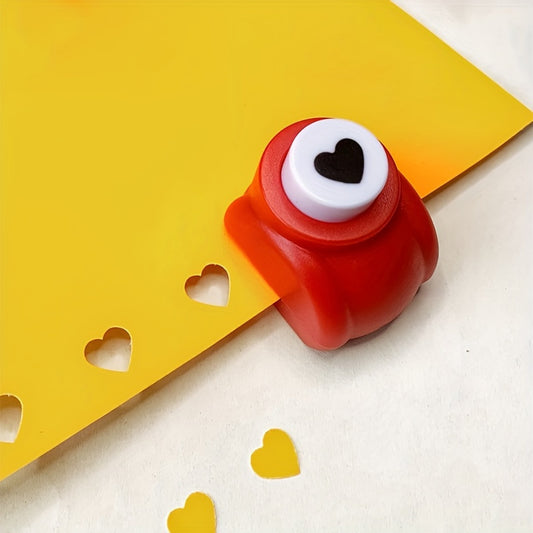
{"points": [[334, 170]]}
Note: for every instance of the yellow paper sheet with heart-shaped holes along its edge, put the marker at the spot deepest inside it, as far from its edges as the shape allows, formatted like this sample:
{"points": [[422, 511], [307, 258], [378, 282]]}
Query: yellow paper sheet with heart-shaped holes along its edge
{"points": [[126, 129]]}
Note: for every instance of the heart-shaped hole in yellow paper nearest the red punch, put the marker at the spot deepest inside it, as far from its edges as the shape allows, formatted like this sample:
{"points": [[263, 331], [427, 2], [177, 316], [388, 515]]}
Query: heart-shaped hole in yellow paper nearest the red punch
{"points": [[211, 287]]}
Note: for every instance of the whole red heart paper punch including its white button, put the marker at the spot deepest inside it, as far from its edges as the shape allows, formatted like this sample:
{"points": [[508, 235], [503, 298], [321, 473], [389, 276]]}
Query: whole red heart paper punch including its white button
{"points": [[335, 229]]}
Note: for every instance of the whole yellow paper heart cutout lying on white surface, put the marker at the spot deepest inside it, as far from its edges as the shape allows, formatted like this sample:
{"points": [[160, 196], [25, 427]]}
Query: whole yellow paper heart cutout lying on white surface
{"points": [[277, 458]]}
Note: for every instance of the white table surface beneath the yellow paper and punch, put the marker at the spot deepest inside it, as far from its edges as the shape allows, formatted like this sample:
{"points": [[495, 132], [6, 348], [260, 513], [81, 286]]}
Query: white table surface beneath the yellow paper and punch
{"points": [[426, 427]]}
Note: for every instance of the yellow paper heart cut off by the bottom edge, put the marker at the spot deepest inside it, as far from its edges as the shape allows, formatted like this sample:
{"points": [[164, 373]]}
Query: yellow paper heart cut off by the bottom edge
{"points": [[196, 516]]}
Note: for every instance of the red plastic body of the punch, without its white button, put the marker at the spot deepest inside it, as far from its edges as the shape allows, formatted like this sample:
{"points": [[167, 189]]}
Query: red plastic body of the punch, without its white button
{"points": [[336, 281]]}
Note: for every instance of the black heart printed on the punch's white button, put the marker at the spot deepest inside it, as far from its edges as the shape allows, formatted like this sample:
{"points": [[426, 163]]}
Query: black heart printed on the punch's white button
{"points": [[346, 164]]}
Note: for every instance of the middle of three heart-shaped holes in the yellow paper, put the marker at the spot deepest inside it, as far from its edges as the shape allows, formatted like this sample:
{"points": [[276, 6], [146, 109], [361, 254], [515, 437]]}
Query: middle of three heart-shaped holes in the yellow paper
{"points": [[112, 351]]}
